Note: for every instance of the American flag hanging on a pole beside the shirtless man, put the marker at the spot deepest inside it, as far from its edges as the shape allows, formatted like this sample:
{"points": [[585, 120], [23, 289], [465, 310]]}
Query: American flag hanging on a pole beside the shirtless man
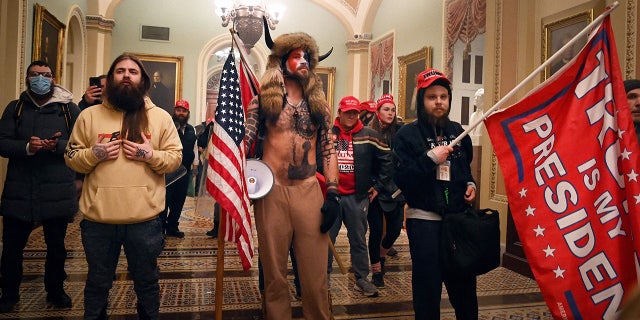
{"points": [[225, 177]]}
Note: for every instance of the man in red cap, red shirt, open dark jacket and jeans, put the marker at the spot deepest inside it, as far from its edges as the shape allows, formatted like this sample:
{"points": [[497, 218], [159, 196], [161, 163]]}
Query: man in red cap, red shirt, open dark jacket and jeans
{"points": [[364, 166]]}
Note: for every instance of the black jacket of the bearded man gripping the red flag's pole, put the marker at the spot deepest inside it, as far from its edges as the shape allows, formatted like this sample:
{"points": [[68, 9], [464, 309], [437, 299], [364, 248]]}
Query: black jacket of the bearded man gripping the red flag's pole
{"points": [[415, 172]]}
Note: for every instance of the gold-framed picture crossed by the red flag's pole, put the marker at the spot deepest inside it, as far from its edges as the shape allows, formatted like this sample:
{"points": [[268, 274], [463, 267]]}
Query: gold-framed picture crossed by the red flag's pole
{"points": [[556, 32]]}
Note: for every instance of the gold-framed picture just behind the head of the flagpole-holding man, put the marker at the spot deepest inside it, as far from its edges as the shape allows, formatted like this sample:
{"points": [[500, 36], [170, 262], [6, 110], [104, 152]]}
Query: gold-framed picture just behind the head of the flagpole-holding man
{"points": [[410, 66]]}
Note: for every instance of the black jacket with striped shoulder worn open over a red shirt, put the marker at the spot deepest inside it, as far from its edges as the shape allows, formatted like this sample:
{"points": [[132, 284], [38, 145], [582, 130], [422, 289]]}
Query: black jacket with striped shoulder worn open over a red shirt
{"points": [[372, 160]]}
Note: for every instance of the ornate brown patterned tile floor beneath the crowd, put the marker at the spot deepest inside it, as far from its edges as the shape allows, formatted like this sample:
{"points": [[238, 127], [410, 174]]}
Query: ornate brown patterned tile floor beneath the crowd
{"points": [[188, 271]]}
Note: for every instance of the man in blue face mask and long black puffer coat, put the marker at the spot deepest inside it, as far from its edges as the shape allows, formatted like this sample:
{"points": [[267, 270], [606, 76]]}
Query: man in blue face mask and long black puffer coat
{"points": [[39, 187]]}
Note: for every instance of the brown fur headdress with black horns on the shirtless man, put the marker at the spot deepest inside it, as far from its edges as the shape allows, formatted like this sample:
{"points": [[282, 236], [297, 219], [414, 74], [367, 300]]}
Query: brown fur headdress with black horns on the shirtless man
{"points": [[272, 90]]}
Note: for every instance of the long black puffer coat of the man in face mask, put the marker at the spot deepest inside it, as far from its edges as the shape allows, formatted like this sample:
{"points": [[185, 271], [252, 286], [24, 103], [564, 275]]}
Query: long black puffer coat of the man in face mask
{"points": [[40, 186]]}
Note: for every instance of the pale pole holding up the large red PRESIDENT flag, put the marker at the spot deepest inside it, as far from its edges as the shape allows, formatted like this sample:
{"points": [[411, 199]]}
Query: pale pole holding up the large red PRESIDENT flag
{"points": [[535, 72]]}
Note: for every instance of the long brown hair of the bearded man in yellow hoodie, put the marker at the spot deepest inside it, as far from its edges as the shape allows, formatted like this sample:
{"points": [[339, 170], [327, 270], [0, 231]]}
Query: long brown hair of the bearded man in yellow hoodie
{"points": [[135, 122]]}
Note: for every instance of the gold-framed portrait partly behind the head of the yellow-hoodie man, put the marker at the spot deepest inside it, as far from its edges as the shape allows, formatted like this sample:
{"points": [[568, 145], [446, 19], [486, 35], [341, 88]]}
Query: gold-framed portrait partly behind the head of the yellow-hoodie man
{"points": [[165, 92]]}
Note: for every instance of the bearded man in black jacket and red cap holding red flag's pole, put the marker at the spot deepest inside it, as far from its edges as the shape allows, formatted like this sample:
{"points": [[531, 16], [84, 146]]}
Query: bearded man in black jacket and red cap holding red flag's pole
{"points": [[435, 179]]}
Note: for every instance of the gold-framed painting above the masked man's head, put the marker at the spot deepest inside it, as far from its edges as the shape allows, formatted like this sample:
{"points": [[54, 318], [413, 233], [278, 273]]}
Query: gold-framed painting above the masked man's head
{"points": [[48, 40]]}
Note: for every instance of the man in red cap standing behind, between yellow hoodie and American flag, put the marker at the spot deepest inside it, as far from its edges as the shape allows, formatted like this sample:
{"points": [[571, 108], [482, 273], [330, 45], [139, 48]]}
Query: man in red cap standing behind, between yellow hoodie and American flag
{"points": [[177, 191]]}
